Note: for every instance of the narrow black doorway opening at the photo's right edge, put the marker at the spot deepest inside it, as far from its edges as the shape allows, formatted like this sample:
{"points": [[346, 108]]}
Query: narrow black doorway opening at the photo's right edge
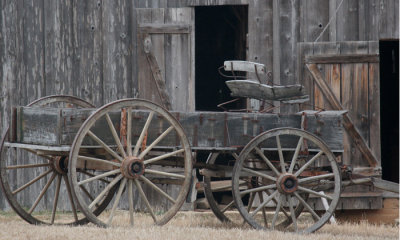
{"points": [[389, 101]]}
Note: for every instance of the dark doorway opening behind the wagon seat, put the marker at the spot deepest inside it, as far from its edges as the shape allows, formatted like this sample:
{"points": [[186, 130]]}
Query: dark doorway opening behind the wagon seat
{"points": [[220, 35]]}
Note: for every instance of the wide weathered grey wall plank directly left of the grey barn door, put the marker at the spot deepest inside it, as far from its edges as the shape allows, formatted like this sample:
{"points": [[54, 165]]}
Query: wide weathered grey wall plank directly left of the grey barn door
{"points": [[116, 50]]}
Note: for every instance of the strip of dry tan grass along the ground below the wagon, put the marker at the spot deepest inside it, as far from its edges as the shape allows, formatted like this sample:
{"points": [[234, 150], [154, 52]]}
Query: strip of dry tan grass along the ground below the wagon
{"points": [[186, 225]]}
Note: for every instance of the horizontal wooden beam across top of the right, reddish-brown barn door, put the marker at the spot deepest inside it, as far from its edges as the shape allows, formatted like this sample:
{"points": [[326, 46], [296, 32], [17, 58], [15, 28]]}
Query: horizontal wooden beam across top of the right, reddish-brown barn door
{"points": [[338, 59]]}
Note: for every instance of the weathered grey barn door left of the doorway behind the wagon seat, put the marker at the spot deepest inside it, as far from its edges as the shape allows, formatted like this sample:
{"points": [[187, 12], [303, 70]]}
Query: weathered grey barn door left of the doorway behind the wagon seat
{"points": [[166, 57]]}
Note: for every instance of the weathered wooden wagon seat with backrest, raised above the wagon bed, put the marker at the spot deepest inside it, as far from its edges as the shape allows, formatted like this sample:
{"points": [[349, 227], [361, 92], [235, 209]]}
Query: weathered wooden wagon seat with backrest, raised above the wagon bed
{"points": [[252, 88]]}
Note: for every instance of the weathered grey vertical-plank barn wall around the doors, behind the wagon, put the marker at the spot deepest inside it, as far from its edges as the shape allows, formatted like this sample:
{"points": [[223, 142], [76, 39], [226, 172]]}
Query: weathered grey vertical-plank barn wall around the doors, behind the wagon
{"points": [[88, 48]]}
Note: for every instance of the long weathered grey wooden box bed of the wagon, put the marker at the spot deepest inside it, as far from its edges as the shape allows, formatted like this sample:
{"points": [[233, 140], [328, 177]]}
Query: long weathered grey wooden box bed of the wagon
{"points": [[55, 128]]}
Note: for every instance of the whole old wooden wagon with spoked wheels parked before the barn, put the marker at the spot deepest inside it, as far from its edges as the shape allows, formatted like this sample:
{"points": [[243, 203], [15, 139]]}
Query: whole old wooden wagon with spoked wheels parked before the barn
{"points": [[279, 165]]}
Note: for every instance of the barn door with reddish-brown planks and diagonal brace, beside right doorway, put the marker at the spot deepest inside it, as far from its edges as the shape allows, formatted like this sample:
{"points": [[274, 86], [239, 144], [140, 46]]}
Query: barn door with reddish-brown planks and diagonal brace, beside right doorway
{"points": [[351, 72]]}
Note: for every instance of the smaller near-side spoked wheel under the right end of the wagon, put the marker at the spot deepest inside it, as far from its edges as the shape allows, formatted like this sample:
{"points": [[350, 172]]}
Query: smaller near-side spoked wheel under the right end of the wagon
{"points": [[286, 165]]}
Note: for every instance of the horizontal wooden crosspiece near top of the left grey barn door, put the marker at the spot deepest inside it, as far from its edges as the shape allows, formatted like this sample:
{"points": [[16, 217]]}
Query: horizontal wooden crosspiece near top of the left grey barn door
{"points": [[164, 28]]}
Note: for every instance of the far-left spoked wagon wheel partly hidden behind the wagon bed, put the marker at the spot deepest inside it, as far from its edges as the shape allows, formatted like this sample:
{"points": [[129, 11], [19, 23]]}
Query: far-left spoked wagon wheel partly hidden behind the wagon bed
{"points": [[46, 168]]}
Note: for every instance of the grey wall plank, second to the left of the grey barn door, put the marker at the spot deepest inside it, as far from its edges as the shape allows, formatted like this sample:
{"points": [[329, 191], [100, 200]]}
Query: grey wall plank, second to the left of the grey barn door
{"points": [[88, 45]]}
